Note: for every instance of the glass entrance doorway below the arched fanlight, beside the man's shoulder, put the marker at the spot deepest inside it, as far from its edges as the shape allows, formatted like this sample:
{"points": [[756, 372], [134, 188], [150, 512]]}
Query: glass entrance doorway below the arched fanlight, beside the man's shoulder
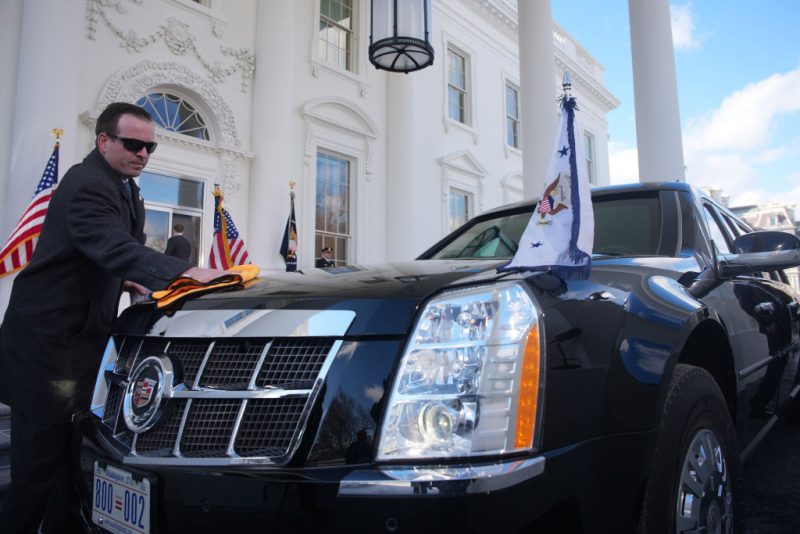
{"points": [[169, 201]]}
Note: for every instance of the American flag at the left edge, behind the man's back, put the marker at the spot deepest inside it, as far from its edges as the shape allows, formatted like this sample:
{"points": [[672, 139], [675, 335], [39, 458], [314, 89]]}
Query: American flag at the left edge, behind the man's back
{"points": [[18, 250]]}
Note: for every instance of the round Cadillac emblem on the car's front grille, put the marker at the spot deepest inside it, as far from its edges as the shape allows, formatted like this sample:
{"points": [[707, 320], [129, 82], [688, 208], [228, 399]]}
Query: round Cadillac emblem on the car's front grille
{"points": [[149, 387]]}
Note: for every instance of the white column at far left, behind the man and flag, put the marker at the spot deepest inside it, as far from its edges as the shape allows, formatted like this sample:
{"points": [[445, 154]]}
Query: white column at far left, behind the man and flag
{"points": [[46, 95]]}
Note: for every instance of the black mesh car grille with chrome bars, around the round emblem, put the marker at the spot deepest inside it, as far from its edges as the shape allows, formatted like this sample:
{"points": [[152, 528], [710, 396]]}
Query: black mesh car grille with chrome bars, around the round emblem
{"points": [[238, 398]]}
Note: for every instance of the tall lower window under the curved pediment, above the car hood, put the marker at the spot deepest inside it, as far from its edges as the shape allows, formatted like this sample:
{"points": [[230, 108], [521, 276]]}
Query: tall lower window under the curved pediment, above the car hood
{"points": [[333, 207]]}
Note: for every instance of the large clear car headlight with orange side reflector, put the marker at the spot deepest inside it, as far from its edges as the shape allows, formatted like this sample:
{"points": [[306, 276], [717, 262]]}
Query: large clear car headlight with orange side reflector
{"points": [[469, 380]]}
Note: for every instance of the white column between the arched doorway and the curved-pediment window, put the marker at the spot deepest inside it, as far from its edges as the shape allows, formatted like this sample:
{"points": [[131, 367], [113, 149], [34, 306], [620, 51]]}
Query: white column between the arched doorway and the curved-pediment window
{"points": [[272, 126]]}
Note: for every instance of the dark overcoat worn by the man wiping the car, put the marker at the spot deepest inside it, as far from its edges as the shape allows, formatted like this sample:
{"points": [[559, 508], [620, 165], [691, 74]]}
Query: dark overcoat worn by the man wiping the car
{"points": [[63, 303]]}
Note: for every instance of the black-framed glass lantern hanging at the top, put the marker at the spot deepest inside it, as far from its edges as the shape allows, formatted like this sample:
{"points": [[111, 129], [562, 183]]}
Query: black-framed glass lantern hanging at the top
{"points": [[400, 35]]}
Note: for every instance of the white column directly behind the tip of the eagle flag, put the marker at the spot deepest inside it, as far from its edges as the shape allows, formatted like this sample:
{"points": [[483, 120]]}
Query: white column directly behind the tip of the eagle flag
{"points": [[537, 91]]}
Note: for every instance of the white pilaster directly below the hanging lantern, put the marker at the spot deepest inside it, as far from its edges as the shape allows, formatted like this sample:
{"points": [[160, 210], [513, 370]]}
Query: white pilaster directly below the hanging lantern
{"points": [[404, 183]]}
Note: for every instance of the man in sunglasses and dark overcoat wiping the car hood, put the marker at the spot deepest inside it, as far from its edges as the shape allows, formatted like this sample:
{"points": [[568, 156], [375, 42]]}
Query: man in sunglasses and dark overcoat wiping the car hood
{"points": [[60, 313]]}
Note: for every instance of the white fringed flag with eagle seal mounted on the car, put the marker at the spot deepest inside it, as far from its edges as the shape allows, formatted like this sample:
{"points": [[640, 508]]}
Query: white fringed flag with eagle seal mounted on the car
{"points": [[560, 234]]}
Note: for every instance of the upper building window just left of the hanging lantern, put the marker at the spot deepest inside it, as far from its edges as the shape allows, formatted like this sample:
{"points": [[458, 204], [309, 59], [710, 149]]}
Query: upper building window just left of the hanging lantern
{"points": [[336, 33]]}
